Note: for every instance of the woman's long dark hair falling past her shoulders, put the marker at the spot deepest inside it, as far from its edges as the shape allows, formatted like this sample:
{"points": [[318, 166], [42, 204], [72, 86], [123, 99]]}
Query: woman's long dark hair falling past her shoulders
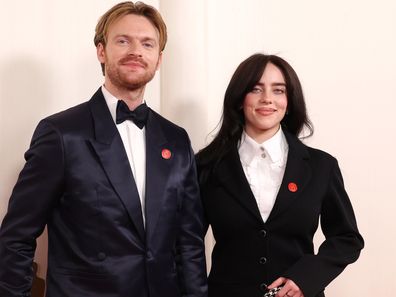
{"points": [[245, 77]]}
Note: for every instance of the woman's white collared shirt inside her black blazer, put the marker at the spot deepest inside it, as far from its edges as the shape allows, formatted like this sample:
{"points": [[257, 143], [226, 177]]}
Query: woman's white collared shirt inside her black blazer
{"points": [[264, 166]]}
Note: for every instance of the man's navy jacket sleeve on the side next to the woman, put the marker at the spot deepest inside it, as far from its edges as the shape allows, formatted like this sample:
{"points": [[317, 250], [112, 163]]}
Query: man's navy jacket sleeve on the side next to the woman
{"points": [[190, 245]]}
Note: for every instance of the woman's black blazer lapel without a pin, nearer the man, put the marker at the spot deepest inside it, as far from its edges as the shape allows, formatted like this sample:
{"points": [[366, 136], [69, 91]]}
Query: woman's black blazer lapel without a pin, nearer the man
{"points": [[232, 177]]}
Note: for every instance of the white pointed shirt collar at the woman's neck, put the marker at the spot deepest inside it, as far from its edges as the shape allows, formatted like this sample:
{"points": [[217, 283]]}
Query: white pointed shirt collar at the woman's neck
{"points": [[276, 148]]}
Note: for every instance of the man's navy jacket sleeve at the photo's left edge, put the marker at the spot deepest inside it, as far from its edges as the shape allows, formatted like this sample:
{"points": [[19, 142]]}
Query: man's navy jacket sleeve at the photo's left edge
{"points": [[36, 190]]}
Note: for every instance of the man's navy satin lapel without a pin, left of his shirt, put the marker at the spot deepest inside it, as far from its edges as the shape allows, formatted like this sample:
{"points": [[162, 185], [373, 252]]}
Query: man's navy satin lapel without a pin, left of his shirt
{"points": [[111, 152]]}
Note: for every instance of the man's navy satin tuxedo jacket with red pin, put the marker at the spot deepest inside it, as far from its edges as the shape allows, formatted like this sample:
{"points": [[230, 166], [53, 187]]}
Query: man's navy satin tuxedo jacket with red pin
{"points": [[78, 182]]}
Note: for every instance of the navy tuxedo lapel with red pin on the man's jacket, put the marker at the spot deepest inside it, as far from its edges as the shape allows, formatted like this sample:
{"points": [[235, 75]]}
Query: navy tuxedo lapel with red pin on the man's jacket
{"points": [[157, 171]]}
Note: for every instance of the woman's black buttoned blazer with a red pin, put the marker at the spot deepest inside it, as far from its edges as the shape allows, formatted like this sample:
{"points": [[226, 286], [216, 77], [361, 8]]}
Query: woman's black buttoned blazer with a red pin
{"points": [[250, 254]]}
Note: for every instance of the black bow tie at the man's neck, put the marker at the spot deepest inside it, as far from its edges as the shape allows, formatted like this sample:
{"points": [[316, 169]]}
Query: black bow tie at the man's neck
{"points": [[139, 115]]}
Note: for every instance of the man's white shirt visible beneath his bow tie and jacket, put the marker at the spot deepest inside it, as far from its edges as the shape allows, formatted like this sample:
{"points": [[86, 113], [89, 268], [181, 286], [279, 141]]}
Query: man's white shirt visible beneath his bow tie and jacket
{"points": [[134, 140]]}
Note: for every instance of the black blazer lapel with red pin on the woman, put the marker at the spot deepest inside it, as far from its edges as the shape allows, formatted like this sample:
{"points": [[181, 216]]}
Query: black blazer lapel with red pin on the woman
{"points": [[297, 172]]}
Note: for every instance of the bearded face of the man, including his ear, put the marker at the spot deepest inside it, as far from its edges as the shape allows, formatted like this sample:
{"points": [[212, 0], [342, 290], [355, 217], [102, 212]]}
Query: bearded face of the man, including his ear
{"points": [[132, 53]]}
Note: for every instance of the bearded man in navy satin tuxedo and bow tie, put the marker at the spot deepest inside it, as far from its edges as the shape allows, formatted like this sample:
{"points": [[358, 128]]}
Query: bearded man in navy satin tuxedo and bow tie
{"points": [[120, 198]]}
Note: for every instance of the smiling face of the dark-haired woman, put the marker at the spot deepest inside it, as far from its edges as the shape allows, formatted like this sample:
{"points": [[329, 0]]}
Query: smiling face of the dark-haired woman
{"points": [[265, 105]]}
